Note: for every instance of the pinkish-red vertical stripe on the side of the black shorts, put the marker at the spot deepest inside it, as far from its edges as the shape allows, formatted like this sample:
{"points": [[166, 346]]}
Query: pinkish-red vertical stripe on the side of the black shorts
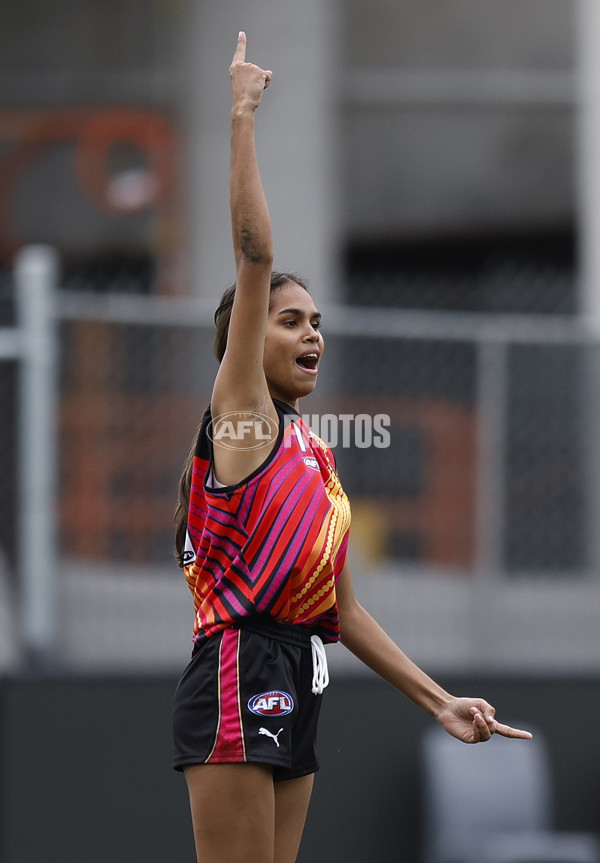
{"points": [[229, 745]]}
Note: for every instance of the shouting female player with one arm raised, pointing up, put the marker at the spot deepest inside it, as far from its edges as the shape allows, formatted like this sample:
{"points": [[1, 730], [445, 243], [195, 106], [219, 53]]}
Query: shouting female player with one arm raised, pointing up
{"points": [[262, 529]]}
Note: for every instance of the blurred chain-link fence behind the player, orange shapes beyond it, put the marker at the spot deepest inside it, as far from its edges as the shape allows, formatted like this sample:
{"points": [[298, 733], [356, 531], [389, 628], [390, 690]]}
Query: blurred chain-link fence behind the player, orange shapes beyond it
{"points": [[465, 443]]}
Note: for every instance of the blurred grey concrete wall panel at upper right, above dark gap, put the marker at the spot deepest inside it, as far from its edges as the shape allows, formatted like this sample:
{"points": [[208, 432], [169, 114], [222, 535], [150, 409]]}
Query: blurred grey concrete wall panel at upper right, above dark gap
{"points": [[457, 115]]}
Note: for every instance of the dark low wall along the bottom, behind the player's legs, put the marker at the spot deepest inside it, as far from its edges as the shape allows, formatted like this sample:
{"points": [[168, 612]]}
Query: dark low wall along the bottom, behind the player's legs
{"points": [[85, 767]]}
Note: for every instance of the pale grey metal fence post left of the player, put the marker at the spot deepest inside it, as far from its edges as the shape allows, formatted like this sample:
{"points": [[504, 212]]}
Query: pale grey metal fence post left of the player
{"points": [[36, 274]]}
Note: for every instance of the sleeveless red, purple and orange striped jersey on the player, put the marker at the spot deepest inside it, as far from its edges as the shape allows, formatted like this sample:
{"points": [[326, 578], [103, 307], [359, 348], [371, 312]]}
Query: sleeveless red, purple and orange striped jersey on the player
{"points": [[274, 544]]}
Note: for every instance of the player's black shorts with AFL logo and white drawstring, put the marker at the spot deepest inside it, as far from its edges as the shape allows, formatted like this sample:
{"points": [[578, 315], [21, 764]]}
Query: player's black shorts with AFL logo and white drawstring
{"points": [[246, 696]]}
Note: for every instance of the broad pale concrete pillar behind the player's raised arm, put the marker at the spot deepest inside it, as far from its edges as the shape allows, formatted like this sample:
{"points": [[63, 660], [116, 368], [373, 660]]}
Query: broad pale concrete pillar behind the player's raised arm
{"points": [[296, 136]]}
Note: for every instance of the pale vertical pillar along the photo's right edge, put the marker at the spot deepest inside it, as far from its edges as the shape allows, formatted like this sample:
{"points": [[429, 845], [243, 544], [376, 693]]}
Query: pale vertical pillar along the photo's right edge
{"points": [[588, 213]]}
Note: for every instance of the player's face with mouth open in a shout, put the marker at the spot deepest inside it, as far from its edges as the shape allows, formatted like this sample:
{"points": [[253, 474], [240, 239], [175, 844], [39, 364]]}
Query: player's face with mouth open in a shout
{"points": [[293, 344]]}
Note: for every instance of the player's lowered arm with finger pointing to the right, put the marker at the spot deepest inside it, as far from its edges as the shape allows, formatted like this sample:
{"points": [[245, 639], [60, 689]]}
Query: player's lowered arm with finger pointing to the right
{"points": [[469, 719]]}
